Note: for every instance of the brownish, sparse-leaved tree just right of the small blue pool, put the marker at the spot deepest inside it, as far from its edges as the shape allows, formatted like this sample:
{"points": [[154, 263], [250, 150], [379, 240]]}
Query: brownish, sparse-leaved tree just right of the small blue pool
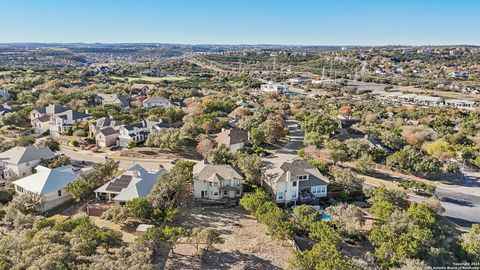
{"points": [[348, 218]]}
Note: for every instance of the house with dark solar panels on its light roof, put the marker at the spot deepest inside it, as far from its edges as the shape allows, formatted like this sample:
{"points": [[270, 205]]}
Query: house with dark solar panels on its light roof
{"points": [[135, 182]]}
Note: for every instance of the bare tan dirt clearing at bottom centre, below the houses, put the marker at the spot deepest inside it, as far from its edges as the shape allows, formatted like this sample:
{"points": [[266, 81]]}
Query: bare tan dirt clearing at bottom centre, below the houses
{"points": [[246, 243]]}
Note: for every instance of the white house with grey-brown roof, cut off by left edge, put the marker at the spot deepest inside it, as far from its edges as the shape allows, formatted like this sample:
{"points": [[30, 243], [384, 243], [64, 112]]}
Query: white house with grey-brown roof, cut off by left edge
{"points": [[19, 161]]}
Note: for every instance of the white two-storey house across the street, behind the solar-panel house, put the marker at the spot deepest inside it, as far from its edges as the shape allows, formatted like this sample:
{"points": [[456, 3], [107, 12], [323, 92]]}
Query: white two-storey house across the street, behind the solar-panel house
{"points": [[137, 133]]}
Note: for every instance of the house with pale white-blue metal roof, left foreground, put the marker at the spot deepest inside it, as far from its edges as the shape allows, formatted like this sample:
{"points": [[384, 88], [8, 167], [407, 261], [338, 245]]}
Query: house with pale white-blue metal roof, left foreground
{"points": [[49, 184]]}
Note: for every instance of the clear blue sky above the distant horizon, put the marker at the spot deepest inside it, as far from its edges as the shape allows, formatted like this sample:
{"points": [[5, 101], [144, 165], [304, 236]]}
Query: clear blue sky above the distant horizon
{"points": [[302, 22]]}
